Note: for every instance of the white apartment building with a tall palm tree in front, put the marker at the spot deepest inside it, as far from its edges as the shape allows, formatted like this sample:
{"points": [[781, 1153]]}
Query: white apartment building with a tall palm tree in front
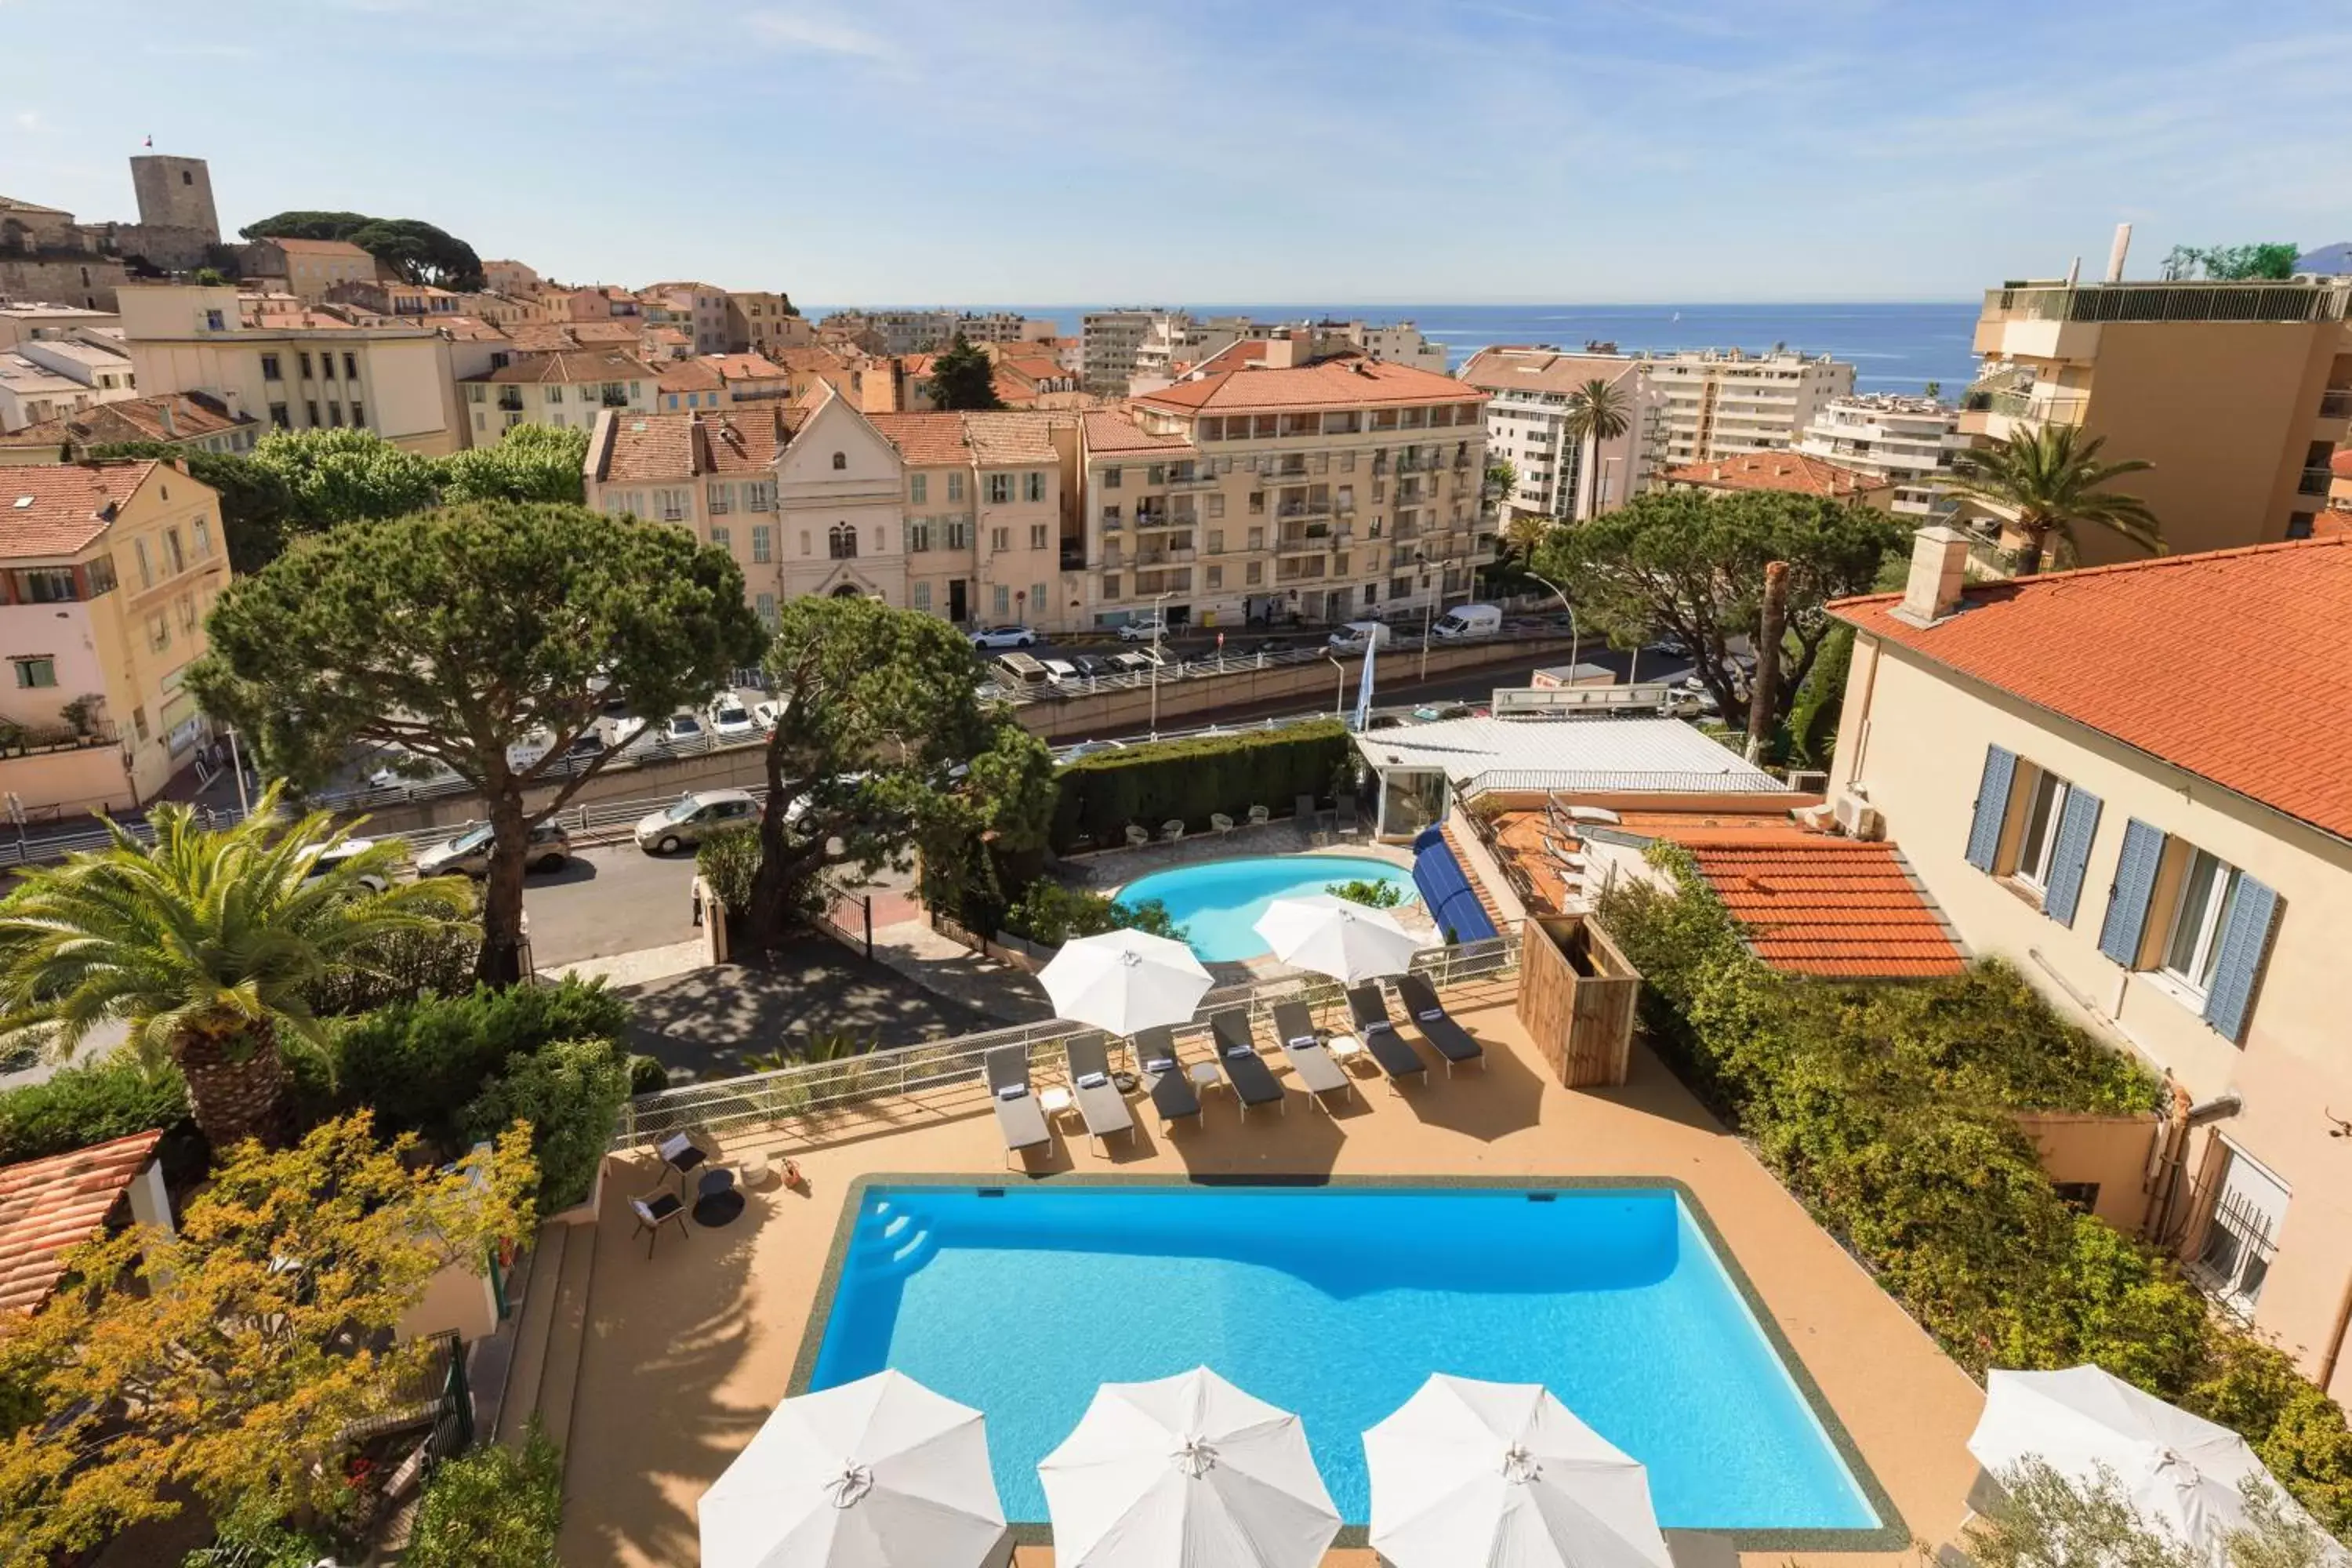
{"points": [[1528, 424]]}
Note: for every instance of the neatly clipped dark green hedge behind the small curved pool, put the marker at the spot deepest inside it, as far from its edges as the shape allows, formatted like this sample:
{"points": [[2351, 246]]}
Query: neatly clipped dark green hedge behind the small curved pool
{"points": [[1191, 779]]}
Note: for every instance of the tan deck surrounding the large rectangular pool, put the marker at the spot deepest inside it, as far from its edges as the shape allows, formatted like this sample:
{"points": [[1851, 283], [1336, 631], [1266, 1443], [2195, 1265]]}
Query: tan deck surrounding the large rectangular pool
{"points": [[690, 1351]]}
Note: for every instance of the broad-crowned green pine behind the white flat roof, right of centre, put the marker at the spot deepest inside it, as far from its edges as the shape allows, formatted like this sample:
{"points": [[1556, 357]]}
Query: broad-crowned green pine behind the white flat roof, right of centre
{"points": [[1695, 565]]}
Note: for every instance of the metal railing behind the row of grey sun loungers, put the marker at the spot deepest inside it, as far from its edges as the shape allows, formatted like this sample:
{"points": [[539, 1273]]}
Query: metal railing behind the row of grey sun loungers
{"points": [[820, 1090]]}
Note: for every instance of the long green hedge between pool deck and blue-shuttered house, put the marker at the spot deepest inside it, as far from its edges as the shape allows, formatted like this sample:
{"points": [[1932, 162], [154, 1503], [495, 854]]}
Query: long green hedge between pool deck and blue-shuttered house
{"points": [[1890, 1111]]}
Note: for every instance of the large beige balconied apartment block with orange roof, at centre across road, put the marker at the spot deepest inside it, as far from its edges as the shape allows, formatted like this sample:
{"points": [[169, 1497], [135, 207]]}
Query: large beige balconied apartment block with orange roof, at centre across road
{"points": [[1323, 492]]}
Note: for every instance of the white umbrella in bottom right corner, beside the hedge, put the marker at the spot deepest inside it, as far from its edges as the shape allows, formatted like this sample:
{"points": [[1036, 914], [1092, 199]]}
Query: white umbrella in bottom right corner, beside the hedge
{"points": [[2179, 1470]]}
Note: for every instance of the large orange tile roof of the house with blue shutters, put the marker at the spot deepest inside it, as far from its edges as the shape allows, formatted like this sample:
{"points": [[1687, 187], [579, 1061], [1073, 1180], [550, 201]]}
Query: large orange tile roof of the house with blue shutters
{"points": [[2229, 664]]}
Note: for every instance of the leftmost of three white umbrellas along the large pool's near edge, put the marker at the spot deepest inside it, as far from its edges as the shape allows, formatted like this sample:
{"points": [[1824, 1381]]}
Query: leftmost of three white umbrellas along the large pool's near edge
{"points": [[878, 1473]]}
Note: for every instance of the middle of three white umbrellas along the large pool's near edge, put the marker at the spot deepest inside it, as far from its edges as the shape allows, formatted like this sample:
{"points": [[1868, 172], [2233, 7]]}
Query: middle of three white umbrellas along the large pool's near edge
{"points": [[1187, 1473]]}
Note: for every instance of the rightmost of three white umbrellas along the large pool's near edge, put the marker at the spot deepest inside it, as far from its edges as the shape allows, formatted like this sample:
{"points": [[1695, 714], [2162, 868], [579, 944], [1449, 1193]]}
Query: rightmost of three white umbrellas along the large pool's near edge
{"points": [[1502, 1473]]}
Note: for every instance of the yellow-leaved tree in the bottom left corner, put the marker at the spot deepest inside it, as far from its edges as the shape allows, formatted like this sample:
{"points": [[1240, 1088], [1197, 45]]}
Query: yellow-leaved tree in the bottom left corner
{"points": [[229, 1360]]}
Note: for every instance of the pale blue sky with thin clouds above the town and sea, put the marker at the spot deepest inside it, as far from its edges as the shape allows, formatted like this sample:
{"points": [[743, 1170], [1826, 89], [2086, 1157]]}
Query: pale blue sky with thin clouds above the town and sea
{"points": [[1347, 152]]}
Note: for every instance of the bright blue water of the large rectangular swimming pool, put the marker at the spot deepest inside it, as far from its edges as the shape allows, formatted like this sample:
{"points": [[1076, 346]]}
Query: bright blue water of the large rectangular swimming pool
{"points": [[1337, 1304]]}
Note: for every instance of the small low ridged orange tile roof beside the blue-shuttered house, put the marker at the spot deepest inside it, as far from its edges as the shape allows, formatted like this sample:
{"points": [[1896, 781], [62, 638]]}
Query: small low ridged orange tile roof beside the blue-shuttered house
{"points": [[1822, 906]]}
